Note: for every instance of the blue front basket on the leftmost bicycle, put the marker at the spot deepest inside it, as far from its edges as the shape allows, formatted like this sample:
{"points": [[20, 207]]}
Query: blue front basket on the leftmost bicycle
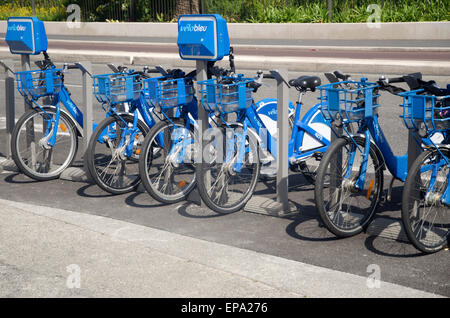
{"points": [[37, 83]]}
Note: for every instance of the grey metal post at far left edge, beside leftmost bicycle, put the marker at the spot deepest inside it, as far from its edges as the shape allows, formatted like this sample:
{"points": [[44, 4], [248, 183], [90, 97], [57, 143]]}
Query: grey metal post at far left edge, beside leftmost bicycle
{"points": [[8, 66]]}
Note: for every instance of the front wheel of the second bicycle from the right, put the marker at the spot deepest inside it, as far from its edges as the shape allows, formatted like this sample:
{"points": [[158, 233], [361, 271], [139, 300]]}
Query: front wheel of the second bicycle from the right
{"points": [[345, 208]]}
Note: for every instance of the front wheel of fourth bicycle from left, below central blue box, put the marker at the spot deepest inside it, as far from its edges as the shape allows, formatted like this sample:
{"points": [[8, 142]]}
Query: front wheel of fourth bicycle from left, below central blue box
{"points": [[221, 187]]}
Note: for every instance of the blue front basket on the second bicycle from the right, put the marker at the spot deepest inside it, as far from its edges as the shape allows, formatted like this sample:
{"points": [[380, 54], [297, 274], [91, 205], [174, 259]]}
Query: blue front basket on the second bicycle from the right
{"points": [[351, 101]]}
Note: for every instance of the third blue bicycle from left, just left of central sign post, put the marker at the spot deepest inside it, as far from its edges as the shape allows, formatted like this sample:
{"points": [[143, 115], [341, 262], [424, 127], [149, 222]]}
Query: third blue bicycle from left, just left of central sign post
{"points": [[167, 158]]}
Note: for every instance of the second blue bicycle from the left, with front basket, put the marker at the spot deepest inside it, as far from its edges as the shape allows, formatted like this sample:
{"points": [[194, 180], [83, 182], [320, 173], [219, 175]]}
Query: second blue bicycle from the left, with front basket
{"points": [[115, 146]]}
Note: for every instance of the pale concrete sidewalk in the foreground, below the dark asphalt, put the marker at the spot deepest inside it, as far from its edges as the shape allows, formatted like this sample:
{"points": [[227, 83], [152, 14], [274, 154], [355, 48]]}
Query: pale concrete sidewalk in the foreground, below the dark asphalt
{"points": [[42, 249]]}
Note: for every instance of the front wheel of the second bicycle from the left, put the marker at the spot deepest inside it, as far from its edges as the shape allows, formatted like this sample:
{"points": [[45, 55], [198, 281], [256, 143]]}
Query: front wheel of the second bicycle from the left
{"points": [[111, 164]]}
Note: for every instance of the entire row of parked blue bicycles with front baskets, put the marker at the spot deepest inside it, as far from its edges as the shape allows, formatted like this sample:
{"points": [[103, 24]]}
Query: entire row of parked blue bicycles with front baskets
{"points": [[152, 134]]}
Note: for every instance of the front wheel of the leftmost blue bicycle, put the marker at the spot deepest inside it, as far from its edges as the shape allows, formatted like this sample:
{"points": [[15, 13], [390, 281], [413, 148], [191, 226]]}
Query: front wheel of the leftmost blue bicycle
{"points": [[31, 149]]}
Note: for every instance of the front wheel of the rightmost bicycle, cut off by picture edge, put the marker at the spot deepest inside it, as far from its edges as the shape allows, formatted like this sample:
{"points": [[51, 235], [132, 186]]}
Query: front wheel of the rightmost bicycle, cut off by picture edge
{"points": [[425, 218]]}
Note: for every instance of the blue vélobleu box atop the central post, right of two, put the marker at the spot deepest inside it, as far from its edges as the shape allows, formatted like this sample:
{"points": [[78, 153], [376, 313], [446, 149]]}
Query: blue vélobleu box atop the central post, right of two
{"points": [[203, 37]]}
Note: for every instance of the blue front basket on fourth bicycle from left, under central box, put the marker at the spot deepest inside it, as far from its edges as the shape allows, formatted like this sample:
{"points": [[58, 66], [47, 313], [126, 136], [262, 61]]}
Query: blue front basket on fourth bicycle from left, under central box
{"points": [[229, 95]]}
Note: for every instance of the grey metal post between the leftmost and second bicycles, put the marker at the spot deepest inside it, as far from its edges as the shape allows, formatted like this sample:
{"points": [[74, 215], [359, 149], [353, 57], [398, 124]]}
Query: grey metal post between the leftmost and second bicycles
{"points": [[88, 118]]}
